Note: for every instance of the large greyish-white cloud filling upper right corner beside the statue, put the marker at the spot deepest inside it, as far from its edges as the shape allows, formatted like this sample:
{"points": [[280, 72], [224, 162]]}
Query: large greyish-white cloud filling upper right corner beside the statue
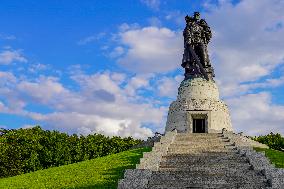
{"points": [[243, 48]]}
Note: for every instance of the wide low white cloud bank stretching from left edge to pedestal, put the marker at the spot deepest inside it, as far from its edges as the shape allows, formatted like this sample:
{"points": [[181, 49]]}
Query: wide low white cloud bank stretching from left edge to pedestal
{"points": [[101, 104]]}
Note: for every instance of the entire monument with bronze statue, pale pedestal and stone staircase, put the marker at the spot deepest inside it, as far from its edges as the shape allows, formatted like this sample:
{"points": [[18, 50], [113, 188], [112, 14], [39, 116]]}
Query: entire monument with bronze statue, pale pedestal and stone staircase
{"points": [[199, 149]]}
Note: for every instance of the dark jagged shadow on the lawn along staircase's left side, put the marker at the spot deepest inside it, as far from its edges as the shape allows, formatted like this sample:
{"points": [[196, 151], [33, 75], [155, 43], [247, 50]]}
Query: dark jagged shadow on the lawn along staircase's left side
{"points": [[117, 173]]}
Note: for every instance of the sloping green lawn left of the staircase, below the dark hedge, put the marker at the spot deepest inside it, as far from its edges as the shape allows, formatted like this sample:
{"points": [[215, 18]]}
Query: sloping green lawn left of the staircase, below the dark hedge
{"points": [[103, 172]]}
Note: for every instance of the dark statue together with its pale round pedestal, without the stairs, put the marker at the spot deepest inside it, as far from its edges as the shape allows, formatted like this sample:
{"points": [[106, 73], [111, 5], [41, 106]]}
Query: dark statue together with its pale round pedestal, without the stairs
{"points": [[198, 108]]}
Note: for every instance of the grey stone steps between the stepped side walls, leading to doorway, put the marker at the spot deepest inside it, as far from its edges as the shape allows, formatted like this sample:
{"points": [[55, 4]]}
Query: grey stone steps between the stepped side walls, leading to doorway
{"points": [[204, 161]]}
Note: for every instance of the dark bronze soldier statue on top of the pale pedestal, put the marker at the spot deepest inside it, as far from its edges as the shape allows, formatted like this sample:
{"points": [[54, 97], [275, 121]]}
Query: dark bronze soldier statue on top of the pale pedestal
{"points": [[197, 35]]}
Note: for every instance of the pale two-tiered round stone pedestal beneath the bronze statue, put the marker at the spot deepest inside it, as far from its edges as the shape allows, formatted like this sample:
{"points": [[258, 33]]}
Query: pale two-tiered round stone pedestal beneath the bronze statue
{"points": [[198, 99]]}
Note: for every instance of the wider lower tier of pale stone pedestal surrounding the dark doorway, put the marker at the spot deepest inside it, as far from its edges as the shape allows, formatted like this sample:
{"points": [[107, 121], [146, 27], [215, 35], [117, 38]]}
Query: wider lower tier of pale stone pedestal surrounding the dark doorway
{"points": [[181, 112]]}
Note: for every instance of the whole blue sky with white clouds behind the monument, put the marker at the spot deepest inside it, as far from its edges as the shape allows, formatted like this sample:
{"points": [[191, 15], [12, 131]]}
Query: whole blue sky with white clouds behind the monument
{"points": [[113, 67]]}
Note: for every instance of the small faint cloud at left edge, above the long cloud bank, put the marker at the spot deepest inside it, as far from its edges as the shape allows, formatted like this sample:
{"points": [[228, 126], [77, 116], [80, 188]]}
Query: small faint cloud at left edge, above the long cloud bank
{"points": [[9, 56]]}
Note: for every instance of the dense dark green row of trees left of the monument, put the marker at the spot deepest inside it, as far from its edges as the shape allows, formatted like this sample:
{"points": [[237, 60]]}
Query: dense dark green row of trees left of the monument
{"points": [[26, 150]]}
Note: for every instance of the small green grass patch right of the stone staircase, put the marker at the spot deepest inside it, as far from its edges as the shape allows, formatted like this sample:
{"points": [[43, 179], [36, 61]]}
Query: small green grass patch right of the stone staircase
{"points": [[276, 157]]}
